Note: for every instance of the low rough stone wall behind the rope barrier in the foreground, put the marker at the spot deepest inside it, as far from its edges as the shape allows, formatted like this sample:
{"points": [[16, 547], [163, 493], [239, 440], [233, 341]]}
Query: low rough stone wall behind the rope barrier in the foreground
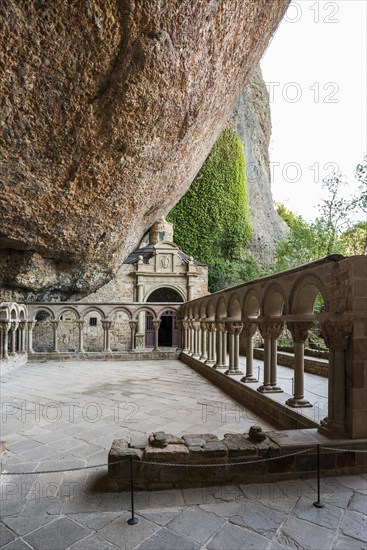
{"points": [[164, 461]]}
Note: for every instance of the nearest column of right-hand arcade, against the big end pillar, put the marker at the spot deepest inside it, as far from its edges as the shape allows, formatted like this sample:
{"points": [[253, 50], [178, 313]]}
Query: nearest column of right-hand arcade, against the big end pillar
{"points": [[336, 336]]}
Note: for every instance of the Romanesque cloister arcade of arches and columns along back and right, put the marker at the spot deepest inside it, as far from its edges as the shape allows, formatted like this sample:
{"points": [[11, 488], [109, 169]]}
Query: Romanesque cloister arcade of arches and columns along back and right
{"points": [[213, 329]]}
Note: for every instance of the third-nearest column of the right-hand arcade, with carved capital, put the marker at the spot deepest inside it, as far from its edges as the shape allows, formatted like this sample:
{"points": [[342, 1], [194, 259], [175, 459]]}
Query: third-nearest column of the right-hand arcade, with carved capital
{"points": [[270, 330]]}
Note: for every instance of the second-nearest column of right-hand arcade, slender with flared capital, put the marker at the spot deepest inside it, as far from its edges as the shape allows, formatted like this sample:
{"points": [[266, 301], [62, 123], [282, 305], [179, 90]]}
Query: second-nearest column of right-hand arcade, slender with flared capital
{"points": [[299, 331]]}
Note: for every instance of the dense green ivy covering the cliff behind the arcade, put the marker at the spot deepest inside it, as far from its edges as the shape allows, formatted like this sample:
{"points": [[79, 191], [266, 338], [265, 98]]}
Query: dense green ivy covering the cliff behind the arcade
{"points": [[212, 221]]}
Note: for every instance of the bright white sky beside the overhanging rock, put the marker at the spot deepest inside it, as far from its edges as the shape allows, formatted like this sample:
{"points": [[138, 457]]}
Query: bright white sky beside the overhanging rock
{"points": [[315, 71]]}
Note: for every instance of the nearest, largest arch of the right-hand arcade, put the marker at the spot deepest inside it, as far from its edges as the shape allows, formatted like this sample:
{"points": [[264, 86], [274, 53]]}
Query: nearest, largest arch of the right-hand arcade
{"points": [[303, 294]]}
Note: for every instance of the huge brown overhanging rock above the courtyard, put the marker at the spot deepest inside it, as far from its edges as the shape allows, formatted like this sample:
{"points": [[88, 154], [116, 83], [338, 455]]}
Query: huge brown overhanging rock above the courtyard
{"points": [[108, 110]]}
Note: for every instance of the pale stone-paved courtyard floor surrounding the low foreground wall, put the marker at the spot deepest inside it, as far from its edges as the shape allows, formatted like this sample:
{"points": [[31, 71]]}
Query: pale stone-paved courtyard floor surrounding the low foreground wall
{"points": [[60, 416]]}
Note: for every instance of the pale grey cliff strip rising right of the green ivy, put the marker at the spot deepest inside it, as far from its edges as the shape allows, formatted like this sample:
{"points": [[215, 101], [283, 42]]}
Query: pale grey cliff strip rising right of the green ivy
{"points": [[251, 119]]}
